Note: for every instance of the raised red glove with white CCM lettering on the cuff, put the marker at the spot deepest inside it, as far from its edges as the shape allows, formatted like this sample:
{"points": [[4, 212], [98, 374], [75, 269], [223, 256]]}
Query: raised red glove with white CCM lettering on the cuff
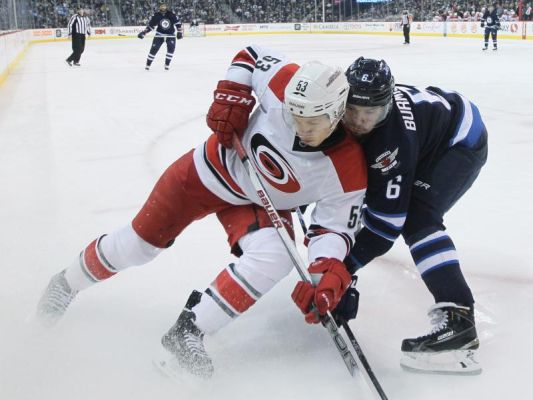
{"points": [[230, 110]]}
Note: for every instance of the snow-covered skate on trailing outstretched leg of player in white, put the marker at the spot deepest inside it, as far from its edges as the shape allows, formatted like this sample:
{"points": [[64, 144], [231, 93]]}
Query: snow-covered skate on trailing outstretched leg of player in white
{"points": [[55, 300]]}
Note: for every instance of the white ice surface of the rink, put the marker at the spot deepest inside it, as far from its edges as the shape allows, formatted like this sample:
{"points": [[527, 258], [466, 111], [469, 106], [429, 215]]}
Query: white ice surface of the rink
{"points": [[80, 150]]}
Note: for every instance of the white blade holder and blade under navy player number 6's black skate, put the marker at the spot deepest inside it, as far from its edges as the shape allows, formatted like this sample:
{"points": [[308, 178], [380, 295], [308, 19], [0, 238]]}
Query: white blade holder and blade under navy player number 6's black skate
{"points": [[453, 362]]}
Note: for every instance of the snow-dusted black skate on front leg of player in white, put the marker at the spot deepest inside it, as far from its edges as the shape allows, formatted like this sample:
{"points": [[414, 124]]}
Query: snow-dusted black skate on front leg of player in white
{"points": [[185, 342]]}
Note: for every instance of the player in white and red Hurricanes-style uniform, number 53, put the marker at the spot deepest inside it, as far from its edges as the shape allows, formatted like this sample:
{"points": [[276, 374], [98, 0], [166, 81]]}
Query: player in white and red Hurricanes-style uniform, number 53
{"points": [[301, 159]]}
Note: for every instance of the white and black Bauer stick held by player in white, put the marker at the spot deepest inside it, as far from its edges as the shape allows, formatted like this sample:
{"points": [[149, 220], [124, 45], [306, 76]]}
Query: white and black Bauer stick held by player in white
{"points": [[327, 320]]}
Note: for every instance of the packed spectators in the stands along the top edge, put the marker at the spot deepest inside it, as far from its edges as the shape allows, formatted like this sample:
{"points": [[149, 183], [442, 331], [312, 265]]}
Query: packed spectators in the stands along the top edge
{"points": [[56, 13]]}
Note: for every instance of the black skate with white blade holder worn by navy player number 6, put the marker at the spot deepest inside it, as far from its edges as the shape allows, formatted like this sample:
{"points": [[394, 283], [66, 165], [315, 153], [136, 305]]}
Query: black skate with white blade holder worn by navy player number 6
{"points": [[451, 345]]}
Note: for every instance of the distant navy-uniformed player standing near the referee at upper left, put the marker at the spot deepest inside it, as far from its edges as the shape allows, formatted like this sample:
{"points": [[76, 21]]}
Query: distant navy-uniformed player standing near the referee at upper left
{"points": [[168, 28]]}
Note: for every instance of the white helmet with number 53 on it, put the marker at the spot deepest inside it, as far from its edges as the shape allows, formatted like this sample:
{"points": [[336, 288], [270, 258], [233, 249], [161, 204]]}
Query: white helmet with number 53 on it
{"points": [[317, 89]]}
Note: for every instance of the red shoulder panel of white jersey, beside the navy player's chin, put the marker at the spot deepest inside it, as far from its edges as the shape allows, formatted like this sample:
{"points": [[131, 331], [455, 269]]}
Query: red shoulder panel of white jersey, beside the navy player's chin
{"points": [[350, 163]]}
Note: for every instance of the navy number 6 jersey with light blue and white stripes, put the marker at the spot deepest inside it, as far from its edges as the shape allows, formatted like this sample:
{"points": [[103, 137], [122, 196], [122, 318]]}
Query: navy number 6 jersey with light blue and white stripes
{"points": [[422, 125]]}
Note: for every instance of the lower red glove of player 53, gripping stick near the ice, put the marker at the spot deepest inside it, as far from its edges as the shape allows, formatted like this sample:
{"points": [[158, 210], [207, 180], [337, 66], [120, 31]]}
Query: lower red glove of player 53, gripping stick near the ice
{"points": [[333, 280]]}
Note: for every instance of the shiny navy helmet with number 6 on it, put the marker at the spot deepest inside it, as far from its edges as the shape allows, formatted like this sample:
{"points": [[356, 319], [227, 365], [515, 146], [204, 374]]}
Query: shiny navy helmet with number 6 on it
{"points": [[371, 82]]}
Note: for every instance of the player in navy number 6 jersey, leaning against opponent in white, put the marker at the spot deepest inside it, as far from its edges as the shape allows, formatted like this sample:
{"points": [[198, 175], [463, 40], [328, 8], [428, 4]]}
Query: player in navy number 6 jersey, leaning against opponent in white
{"points": [[424, 149]]}
